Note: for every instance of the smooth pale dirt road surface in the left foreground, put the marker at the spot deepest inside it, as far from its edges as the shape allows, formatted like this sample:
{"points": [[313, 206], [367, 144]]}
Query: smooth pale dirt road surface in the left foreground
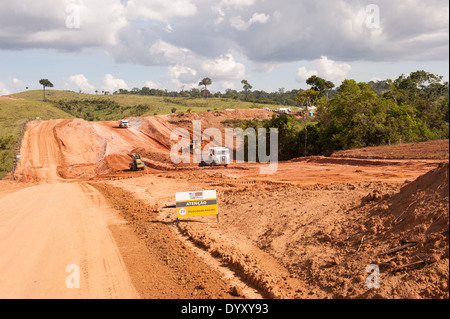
{"points": [[46, 228]]}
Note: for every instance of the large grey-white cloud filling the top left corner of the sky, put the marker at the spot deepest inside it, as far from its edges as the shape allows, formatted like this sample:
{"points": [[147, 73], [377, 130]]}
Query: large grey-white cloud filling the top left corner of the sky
{"points": [[43, 24]]}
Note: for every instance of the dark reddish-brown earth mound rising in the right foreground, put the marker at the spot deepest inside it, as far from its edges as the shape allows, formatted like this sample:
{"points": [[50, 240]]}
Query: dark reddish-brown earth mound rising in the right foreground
{"points": [[407, 236]]}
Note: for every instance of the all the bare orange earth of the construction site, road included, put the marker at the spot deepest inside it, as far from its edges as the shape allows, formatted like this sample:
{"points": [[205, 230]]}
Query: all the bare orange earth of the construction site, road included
{"points": [[307, 231]]}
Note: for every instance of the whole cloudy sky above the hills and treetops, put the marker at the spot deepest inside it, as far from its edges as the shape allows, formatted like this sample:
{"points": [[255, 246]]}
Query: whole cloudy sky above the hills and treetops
{"points": [[106, 45]]}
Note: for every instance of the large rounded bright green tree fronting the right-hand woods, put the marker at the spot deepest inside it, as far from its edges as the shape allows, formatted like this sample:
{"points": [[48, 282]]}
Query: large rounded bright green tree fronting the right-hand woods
{"points": [[358, 117]]}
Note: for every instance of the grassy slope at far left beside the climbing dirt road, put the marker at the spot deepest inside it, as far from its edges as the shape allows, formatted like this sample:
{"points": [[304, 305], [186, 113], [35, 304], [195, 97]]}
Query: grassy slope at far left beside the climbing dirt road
{"points": [[13, 114]]}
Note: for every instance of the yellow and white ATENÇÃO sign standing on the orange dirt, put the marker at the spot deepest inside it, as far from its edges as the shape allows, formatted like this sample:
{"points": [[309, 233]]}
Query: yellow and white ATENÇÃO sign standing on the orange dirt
{"points": [[200, 203]]}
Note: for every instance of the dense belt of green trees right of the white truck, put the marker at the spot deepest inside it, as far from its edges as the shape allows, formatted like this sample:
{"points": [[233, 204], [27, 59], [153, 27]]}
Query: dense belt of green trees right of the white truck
{"points": [[412, 108]]}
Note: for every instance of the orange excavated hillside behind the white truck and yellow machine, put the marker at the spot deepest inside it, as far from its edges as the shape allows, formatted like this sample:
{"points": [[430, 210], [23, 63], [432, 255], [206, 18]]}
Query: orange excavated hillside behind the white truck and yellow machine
{"points": [[82, 149]]}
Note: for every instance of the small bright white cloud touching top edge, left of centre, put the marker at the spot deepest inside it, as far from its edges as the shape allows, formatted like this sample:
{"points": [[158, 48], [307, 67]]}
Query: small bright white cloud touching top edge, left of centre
{"points": [[160, 10]]}
